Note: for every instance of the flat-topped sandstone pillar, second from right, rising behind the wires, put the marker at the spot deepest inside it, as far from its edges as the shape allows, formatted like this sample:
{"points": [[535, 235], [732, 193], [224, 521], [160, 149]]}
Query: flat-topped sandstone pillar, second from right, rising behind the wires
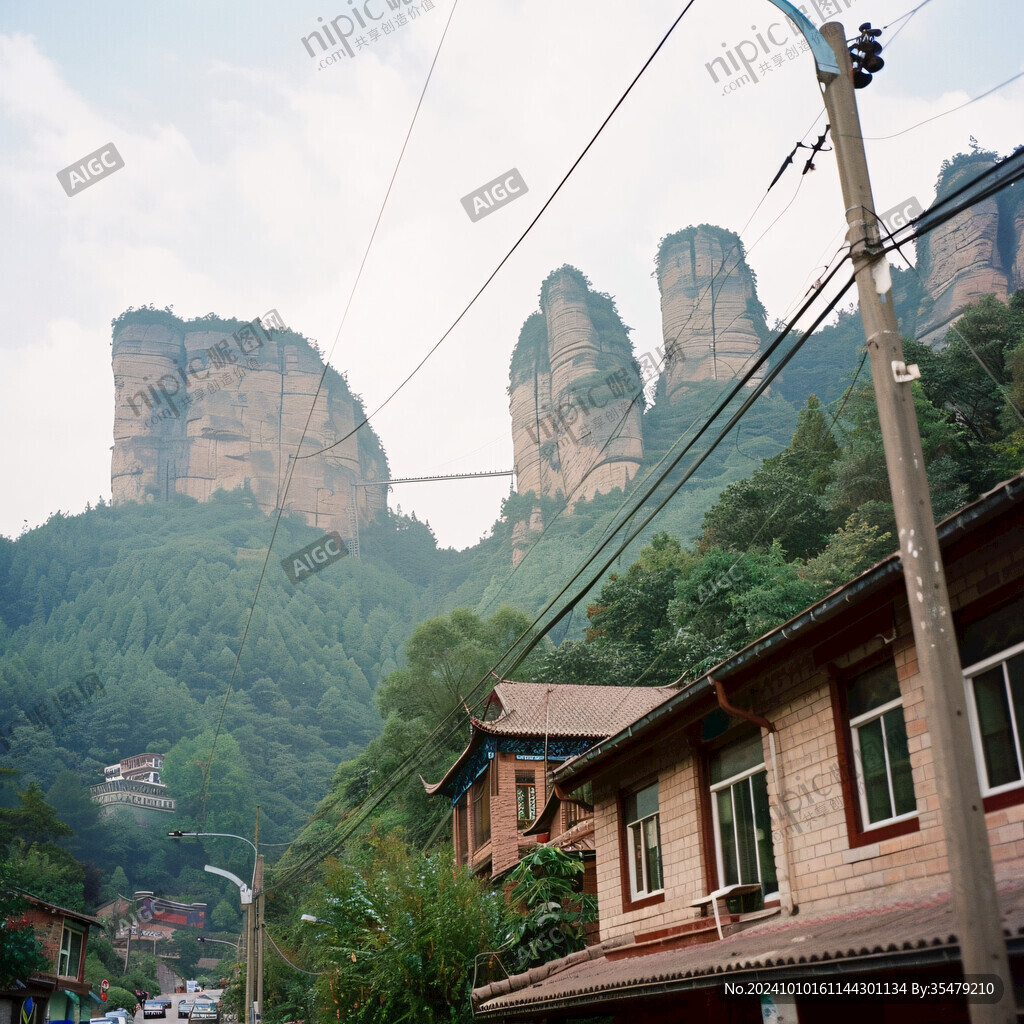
{"points": [[712, 322]]}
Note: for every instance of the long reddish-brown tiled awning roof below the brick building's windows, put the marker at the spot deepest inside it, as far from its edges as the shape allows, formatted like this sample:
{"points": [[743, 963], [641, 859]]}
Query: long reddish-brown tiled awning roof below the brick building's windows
{"points": [[810, 946]]}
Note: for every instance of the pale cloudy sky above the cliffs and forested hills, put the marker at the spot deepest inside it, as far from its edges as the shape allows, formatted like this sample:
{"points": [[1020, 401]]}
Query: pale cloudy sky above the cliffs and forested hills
{"points": [[254, 175]]}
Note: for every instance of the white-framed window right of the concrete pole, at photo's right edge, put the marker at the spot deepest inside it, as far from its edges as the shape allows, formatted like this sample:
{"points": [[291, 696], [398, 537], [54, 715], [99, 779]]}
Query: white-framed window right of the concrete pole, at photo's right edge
{"points": [[993, 654]]}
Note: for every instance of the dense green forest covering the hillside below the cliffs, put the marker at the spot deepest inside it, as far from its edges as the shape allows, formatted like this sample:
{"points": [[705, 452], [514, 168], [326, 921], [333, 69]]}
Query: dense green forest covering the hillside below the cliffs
{"points": [[338, 688]]}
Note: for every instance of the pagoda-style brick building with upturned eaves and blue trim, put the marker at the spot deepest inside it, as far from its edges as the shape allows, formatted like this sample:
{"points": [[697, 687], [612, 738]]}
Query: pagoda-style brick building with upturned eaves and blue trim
{"points": [[500, 782]]}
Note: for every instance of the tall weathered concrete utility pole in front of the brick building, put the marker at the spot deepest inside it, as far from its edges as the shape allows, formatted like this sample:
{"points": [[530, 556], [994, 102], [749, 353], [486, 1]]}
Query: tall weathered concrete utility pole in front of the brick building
{"points": [[984, 951]]}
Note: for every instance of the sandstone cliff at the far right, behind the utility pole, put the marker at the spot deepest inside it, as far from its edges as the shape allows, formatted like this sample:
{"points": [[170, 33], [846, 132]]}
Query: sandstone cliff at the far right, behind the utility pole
{"points": [[978, 252]]}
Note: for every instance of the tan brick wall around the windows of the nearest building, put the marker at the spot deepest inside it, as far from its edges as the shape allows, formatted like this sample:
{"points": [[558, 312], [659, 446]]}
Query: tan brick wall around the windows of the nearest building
{"points": [[827, 871]]}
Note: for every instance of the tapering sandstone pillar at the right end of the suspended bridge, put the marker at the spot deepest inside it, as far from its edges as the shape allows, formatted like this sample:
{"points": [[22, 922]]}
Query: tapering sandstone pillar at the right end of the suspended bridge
{"points": [[576, 395]]}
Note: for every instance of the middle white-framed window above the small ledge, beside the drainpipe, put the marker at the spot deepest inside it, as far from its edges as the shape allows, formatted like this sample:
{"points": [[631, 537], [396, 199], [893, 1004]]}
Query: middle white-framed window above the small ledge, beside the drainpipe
{"points": [[740, 815]]}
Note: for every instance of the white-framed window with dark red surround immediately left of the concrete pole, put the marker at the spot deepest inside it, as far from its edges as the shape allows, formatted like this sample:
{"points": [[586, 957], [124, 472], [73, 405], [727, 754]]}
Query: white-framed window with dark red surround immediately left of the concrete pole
{"points": [[878, 732]]}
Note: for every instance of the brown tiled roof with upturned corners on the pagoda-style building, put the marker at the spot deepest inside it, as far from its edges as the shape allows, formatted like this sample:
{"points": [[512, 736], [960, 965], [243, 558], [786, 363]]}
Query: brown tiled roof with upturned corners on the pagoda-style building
{"points": [[570, 709]]}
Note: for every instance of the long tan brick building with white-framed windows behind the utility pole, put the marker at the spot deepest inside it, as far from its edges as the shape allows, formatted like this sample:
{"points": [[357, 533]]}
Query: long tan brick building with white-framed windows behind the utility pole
{"points": [[777, 821]]}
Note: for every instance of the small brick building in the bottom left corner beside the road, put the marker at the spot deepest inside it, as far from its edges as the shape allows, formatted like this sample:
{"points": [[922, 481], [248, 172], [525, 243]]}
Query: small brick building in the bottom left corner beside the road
{"points": [[60, 993]]}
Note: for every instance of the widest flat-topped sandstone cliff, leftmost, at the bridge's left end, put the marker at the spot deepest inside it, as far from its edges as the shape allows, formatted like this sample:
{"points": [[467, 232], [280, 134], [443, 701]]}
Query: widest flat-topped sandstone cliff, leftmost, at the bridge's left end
{"points": [[211, 404]]}
